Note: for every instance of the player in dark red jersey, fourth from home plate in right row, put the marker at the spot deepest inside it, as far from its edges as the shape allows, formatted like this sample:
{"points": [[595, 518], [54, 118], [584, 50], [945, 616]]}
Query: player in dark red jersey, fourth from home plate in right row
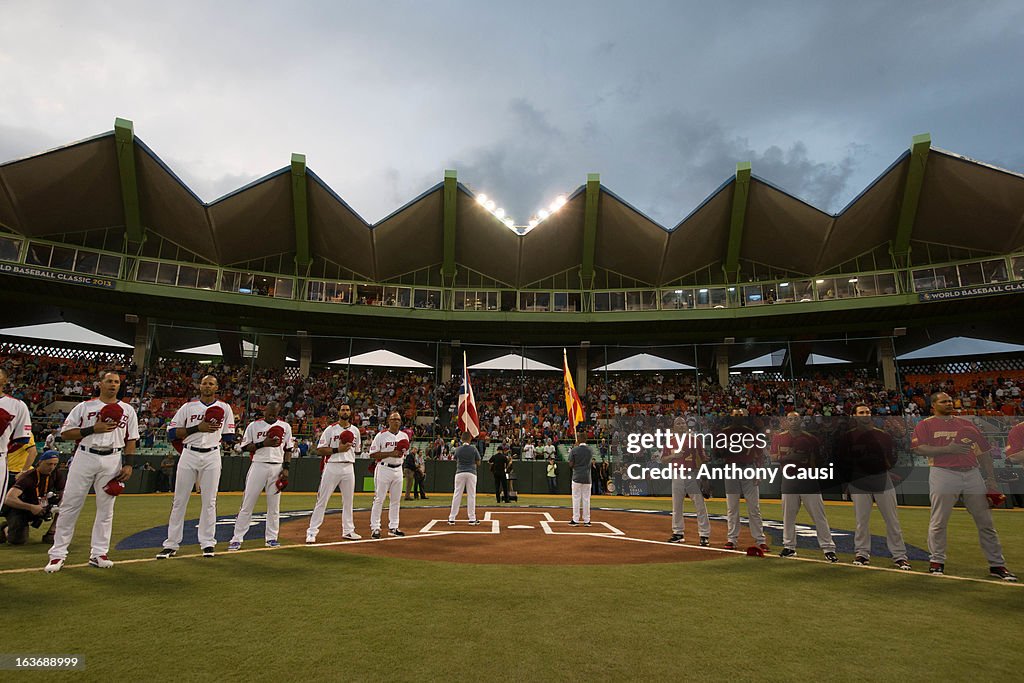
{"points": [[866, 456]]}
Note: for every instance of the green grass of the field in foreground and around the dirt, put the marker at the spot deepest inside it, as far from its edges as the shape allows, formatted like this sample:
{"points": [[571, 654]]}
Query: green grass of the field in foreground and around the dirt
{"points": [[319, 615]]}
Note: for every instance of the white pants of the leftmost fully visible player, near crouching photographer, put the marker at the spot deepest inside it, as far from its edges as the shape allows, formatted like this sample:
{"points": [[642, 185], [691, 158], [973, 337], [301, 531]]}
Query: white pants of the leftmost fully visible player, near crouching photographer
{"points": [[88, 471]]}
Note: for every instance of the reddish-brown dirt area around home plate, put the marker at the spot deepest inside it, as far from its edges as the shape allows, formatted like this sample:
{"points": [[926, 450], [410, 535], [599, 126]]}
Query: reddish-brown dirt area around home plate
{"points": [[526, 536]]}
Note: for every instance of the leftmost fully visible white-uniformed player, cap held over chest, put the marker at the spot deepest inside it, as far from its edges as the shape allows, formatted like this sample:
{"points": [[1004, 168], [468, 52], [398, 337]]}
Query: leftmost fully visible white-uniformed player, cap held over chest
{"points": [[107, 431]]}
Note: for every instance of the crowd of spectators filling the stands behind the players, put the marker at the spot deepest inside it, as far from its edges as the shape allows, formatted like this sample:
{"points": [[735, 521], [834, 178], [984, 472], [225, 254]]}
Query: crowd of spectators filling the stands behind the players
{"points": [[516, 409]]}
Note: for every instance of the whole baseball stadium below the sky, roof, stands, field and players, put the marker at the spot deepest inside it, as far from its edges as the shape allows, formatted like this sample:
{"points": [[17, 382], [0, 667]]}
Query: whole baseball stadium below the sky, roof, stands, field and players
{"points": [[584, 331]]}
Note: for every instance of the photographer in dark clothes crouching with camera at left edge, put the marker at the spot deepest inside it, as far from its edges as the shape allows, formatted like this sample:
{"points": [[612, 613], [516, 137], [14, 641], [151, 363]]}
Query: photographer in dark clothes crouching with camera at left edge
{"points": [[30, 501]]}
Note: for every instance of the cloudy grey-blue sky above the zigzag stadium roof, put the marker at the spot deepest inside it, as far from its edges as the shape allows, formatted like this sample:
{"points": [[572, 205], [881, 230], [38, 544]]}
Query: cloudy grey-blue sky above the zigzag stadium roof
{"points": [[524, 99]]}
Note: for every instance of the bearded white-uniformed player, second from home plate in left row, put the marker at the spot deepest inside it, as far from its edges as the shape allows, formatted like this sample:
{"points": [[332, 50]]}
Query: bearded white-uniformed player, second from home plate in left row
{"points": [[338, 446]]}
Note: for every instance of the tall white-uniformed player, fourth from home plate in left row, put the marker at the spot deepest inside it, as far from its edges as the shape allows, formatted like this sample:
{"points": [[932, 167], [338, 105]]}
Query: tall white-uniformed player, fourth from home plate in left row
{"points": [[198, 430]]}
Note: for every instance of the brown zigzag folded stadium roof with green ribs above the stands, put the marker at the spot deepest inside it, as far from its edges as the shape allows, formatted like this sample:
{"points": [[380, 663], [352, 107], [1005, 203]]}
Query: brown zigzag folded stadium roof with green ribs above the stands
{"points": [[120, 185]]}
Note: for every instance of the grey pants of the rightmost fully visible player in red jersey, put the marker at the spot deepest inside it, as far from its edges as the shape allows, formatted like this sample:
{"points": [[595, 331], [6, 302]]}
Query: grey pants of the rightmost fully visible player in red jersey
{"points": [[946, 486]]}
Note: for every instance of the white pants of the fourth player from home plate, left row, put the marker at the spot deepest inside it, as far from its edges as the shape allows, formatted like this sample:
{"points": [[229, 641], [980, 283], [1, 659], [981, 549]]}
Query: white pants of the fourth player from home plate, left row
{"points": [[205, 468]]}
